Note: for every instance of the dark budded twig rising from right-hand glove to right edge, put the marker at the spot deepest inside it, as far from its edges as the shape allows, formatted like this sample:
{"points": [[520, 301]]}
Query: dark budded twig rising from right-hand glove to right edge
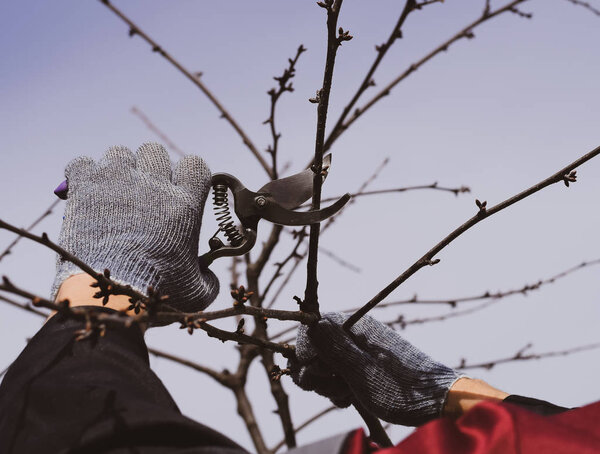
{"points": [[566, 175]]}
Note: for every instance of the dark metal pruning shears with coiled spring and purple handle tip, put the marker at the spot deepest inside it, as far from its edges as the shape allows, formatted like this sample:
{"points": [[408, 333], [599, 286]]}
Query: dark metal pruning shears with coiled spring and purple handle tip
{"points": [[275, 202]]}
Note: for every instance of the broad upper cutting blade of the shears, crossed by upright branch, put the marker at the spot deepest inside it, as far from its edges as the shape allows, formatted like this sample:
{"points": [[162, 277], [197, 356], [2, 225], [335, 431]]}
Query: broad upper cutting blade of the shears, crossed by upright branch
{"points": [[291, 192]]}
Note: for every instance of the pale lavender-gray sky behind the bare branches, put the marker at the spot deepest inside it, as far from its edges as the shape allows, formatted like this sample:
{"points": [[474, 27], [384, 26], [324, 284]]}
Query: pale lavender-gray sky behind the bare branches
{"points": [[497, 113]]}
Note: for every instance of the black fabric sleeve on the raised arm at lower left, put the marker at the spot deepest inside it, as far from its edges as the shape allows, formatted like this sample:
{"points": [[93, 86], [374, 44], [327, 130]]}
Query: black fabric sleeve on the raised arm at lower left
{"points": [[97, 395]]}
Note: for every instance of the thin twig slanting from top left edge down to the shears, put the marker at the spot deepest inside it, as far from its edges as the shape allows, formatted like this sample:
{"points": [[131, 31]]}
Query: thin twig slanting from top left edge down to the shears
{"points": [[194, 78]]}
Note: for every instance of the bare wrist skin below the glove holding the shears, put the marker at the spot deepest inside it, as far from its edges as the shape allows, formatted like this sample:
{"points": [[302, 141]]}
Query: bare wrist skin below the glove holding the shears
{"points": [[77, 289]]}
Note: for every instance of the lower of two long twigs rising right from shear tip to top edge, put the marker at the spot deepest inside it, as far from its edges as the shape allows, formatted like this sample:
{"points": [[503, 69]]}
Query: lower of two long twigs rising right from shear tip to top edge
{"points": [[466, 32]]}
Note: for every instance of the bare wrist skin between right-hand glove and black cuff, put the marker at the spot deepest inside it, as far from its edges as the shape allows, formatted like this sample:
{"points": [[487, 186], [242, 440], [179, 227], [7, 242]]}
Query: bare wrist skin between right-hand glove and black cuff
{"points": [[468, 392]]}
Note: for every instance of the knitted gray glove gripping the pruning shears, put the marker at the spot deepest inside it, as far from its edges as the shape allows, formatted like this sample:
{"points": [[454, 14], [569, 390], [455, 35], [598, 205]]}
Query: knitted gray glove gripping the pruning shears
{"points": [[129, 214]]}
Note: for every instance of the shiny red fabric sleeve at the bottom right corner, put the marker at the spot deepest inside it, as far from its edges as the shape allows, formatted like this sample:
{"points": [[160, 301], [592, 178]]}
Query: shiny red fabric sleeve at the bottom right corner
{"points": [[502, 428]]}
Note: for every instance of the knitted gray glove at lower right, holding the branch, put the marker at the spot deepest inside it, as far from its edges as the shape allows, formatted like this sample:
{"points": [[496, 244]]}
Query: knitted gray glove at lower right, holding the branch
{"points": [[385, 373]]}
